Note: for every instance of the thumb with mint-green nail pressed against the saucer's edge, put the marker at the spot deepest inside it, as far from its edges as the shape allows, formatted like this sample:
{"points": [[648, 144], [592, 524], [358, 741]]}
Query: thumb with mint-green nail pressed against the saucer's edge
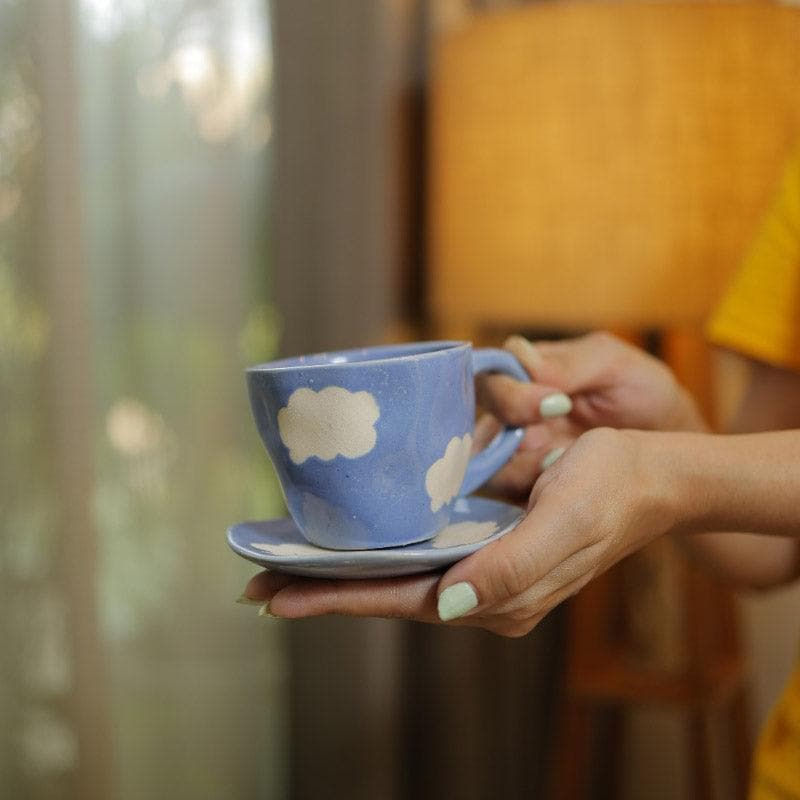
{"points": [[507, 568]]}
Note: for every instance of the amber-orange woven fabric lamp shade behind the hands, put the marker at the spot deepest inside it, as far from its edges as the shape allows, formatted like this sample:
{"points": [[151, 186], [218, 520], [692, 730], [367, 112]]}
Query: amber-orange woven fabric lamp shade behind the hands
{"points": [[584, 155]]}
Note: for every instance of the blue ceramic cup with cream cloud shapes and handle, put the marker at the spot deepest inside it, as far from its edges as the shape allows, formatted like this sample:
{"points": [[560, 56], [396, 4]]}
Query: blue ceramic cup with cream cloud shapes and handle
{"points": [[372, 446]]}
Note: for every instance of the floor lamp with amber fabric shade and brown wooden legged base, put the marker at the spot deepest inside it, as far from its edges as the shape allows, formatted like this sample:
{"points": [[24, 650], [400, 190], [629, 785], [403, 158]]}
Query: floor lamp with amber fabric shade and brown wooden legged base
{"points": [[603, 165]]}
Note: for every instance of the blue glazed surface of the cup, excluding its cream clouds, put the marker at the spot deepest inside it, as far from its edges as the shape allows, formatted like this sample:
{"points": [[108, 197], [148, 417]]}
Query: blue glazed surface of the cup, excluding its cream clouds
{"points": [[425, 396]]}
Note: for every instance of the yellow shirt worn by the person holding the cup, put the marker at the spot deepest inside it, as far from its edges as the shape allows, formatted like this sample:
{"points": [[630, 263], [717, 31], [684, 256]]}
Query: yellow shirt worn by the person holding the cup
{"points": [[760, 317]]}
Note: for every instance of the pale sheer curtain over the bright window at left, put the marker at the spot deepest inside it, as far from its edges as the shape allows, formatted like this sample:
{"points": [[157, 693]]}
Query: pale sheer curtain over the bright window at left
{"points": [[134, 288]]}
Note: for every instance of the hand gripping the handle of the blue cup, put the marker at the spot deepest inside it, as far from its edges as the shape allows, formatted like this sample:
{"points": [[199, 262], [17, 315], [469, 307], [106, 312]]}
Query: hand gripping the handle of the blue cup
{"points": [[610, 383]]}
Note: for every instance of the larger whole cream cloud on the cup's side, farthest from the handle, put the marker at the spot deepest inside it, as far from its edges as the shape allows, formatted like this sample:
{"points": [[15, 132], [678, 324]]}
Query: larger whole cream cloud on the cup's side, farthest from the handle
{"points": [[329, 423]]}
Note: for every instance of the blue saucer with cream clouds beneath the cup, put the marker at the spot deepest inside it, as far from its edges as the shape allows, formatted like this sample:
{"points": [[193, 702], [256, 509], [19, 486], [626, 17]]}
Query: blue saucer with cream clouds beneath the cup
{"points": [[279, 545]]}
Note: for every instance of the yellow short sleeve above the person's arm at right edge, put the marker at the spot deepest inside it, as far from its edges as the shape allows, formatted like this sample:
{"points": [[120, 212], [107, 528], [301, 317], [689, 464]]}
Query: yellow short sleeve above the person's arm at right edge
{"points": [[759, 315]]}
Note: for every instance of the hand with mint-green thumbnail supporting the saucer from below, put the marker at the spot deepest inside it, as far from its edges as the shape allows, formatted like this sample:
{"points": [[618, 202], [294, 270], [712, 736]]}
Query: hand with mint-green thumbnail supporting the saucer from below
{"points": [[601, 501]]}
